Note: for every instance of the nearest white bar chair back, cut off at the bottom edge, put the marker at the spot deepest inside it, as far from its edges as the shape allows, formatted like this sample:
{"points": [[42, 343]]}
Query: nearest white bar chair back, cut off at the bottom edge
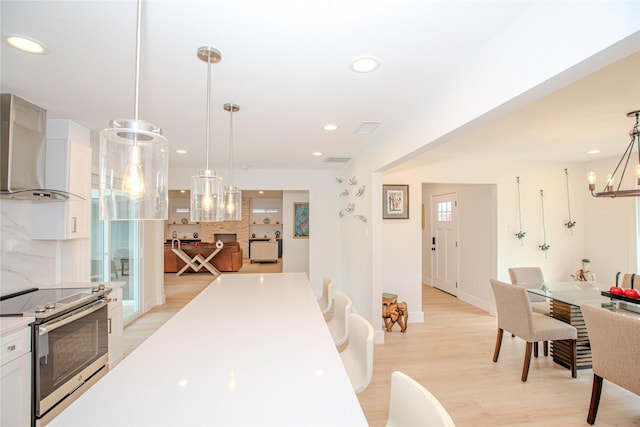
{"points": [[411, 404]]}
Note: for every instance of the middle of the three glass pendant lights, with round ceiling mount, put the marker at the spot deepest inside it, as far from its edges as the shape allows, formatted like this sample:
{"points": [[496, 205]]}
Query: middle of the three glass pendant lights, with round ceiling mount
{"points": [[207, 190]]}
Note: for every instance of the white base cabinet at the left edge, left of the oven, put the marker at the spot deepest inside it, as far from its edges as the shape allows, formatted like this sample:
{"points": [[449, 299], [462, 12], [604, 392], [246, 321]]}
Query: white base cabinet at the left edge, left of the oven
{"points": [[15, 379]]}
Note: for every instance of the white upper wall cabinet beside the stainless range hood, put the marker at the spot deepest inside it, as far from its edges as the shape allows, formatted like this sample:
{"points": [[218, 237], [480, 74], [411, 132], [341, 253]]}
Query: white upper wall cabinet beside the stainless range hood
{"points": [[68, 168]]}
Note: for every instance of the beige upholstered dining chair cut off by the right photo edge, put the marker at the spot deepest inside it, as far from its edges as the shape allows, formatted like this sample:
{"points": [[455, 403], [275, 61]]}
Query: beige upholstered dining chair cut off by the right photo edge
{"points": [[615, 352]]}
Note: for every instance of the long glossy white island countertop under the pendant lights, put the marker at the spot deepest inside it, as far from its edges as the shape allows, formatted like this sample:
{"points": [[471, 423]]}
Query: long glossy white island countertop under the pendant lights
{"points": [[251, 349]]}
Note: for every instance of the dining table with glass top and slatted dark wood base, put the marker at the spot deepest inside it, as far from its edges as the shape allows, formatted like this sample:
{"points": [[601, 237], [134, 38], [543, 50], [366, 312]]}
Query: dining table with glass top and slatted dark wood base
{"points": [[565, 299]]}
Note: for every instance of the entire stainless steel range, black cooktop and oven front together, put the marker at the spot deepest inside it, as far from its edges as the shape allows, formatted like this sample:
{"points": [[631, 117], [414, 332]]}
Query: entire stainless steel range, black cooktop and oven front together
{"points": [[69, 343]]}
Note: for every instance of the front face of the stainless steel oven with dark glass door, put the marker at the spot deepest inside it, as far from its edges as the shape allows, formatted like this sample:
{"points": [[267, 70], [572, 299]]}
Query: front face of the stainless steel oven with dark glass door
{"points": [[67, 351]]}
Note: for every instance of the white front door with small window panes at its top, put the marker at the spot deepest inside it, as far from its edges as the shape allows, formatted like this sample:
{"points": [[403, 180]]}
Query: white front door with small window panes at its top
{"points": [[444, 243]]}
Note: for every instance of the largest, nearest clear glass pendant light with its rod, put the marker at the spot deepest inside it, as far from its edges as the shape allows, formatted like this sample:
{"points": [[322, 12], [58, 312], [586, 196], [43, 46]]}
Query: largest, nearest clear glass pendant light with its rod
{"points": [[134, 163]]}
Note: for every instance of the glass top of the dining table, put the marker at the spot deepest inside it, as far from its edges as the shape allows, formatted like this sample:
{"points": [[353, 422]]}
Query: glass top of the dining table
{"points": [[578, 293]]}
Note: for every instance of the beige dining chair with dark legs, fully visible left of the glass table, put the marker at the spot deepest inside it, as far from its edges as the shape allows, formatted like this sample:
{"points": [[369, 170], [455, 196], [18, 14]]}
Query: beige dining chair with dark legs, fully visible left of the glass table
{"points": [[515, 316]]}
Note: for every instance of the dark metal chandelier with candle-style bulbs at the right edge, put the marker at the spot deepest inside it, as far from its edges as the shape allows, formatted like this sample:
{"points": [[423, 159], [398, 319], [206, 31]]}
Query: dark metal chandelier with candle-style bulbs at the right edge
{"points": [[608, 190]]}
